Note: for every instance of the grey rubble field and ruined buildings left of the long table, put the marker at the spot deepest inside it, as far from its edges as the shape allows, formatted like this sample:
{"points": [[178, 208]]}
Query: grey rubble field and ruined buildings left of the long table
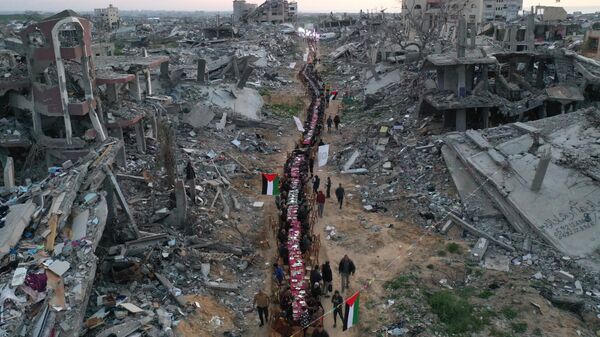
{"points": [[102, 233]]}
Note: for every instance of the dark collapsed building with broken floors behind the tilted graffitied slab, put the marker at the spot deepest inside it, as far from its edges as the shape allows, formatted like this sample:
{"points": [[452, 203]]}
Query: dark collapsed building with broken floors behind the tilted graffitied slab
{"points": [[482, 86]]}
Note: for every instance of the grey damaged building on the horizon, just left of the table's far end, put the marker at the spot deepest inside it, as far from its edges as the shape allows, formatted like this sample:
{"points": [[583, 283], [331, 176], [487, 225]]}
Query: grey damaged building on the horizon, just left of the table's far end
{"points": [[274, 11]]}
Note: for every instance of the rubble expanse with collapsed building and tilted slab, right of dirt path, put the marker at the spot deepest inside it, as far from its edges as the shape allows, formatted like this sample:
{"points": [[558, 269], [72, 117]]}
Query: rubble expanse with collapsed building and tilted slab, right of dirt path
{"points": [[516, 219]]}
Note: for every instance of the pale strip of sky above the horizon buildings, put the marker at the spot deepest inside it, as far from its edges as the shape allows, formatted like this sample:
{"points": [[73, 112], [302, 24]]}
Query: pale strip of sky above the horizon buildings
{"points": [[226, 5]]}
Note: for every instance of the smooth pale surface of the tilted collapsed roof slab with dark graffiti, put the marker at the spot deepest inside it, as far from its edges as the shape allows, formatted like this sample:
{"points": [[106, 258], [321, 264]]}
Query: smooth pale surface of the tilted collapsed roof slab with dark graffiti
{"points": [[565, 210]]}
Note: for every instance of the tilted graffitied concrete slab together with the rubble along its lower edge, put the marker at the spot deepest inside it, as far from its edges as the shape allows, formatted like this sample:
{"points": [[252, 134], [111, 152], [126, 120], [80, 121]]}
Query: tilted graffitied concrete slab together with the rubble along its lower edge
{"points": [[524, 170]]}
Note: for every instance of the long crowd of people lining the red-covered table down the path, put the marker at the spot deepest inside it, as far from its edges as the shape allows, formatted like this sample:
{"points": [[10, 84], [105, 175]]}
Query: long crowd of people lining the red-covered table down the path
{"points": [[300, 287]]}
